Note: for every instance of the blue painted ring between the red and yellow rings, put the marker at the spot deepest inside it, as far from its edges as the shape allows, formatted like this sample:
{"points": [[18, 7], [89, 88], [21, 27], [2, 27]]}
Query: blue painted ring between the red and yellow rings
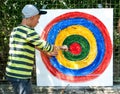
{"points": [[99, 39]]}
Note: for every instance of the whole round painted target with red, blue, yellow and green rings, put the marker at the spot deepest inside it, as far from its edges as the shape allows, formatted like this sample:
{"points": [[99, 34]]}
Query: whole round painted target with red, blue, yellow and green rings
{"points": [[89, 44]]}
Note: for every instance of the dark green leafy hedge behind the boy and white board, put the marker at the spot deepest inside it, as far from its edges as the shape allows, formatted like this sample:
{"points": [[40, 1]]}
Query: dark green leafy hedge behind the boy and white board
{"points": [[10, 16]]}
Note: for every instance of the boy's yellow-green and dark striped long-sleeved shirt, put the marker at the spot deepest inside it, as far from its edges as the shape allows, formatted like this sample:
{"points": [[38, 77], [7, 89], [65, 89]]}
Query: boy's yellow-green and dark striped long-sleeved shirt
{"points": [[21, 54]]}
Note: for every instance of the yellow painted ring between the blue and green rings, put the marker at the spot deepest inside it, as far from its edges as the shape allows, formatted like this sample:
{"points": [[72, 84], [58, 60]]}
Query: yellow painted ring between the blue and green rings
{"points": [[86, 33]]}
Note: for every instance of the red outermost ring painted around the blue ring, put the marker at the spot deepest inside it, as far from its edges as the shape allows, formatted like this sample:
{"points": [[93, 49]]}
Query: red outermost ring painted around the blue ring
{"points": [[106, 58]]}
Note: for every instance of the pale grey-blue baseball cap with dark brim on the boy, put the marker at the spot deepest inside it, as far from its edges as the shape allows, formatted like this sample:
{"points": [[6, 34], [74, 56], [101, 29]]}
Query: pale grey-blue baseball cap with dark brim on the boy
{"points": [[30, 10]]}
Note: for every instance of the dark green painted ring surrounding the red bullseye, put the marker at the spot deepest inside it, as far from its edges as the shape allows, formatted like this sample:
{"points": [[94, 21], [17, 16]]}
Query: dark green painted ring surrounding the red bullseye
{"points": [[84, 45]]}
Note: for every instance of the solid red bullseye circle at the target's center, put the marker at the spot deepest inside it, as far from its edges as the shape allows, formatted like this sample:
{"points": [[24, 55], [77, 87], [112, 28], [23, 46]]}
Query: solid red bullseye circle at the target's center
{"points": [[75, 48]]}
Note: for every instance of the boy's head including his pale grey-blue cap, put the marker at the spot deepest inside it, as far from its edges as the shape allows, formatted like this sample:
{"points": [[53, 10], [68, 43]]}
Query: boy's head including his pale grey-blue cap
{"points": [[31, 15]]}
